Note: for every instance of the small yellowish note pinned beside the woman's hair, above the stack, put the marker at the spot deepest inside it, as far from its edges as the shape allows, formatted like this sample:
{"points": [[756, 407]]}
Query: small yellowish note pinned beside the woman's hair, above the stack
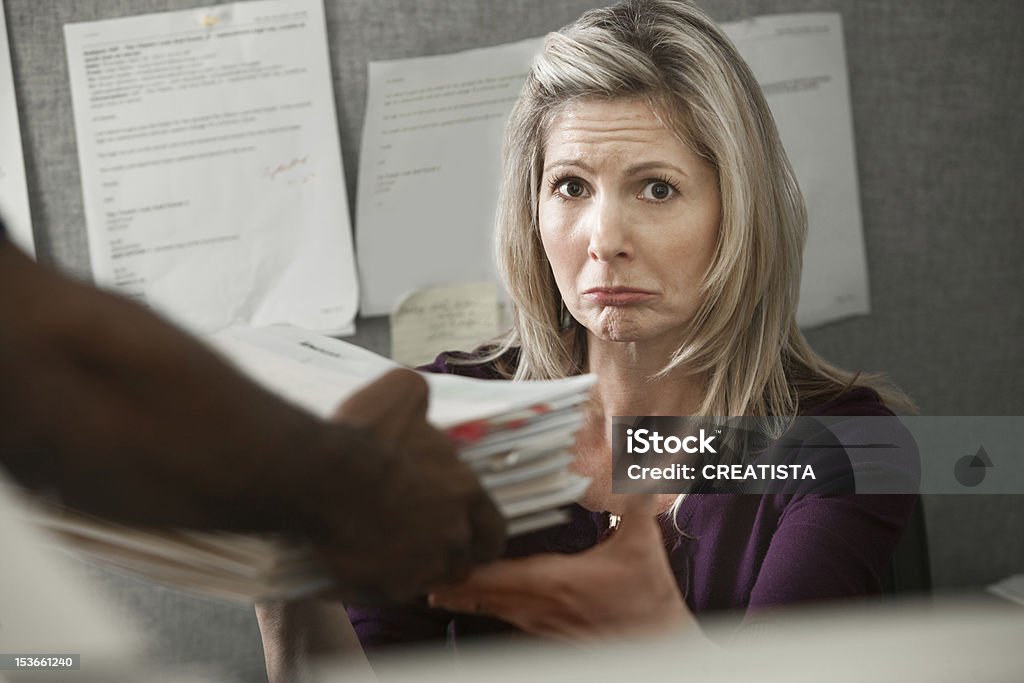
{"points": [[443, 319]]}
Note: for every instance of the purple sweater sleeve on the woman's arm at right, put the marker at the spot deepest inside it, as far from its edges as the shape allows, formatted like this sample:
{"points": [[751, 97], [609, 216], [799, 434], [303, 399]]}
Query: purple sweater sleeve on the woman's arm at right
{"points": [[836, 537]]}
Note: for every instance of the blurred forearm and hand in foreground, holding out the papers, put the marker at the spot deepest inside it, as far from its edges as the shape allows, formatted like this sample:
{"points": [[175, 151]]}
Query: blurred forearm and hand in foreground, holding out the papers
{"points": [[129, 418]]}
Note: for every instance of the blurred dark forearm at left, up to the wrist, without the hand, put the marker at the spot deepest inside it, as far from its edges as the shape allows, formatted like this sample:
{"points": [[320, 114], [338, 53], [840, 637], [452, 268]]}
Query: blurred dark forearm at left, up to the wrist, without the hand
{"points": [[124, 416]]}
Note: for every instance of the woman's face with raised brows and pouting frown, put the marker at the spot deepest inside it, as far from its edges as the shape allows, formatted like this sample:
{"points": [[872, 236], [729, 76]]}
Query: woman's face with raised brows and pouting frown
{"points": [[629, 219]]}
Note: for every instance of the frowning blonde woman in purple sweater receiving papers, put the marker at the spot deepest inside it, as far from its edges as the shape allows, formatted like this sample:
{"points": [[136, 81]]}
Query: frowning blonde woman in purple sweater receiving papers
{"points": [[651, 232]]}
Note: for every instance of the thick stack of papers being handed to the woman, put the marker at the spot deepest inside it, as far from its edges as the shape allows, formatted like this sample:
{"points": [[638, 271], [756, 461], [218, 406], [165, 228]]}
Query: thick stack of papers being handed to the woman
{"points": [[516, 436]]}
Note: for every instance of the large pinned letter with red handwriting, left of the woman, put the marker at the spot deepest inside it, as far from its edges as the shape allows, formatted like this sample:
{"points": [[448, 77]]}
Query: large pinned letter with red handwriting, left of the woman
{"points": [[211, 166]]}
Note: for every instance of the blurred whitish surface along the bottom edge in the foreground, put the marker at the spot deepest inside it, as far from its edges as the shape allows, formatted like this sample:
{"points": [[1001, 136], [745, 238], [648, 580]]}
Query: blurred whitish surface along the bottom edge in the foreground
{"points": [[907, 642]]}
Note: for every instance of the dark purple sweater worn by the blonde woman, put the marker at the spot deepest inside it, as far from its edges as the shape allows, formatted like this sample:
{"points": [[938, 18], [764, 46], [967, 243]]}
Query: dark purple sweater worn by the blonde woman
{"points": [[746, 553]]}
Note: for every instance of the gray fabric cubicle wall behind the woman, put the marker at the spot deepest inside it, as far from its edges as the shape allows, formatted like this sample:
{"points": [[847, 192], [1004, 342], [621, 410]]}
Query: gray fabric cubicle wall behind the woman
{"points": [[937, 102]]}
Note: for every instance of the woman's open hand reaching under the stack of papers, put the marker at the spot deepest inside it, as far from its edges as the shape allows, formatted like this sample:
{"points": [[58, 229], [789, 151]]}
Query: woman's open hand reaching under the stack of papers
{"points": [[624, 586]]}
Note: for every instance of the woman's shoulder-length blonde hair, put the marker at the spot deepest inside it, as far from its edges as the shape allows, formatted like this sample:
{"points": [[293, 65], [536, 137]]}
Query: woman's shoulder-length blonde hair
{"points": [[745, 338]]}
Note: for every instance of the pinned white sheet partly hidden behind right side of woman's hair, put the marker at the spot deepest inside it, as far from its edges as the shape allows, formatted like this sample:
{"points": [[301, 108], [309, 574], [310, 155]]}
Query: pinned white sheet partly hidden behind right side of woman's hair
{"points": [[800, 63]]}
